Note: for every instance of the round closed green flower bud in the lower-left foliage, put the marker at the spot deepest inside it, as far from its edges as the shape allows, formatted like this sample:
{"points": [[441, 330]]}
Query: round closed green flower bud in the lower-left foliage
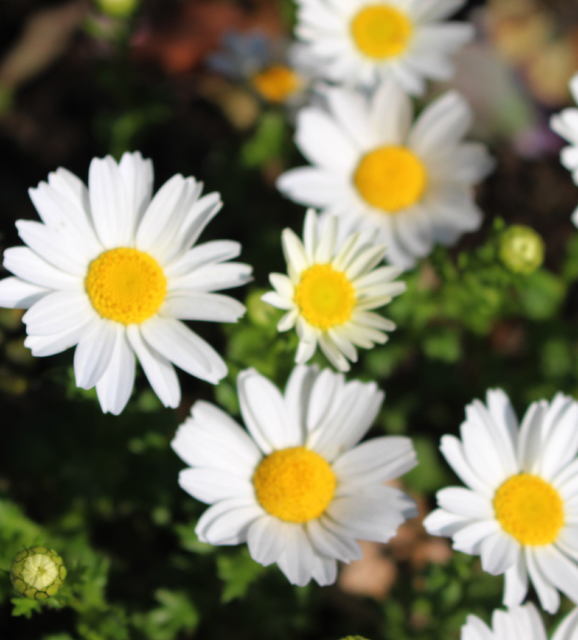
{"points": [[37, 572]]}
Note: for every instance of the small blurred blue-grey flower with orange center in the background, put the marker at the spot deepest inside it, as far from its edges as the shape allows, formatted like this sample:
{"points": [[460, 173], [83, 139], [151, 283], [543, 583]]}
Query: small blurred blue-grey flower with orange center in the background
{"points": [[278, 72]]}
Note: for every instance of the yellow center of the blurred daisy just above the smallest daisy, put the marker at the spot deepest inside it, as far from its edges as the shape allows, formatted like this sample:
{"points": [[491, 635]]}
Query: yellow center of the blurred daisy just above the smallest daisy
{"points": [[390, 178]]}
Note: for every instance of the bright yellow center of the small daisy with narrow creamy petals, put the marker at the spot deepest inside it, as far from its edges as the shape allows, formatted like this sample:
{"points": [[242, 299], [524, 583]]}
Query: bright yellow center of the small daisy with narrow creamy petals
{"points": [[325, 296]]}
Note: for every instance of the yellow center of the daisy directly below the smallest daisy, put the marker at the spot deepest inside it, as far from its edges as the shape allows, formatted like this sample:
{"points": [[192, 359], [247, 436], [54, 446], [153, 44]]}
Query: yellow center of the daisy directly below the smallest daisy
{"points": [[294, 484]]}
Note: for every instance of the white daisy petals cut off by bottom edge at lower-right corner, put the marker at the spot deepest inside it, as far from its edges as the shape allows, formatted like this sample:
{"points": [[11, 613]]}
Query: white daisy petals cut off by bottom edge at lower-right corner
{"points": [[520, 623]]}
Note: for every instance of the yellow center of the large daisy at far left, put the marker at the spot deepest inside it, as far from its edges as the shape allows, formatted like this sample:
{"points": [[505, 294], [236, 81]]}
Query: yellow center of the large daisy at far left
{"points": [[125, 285]]}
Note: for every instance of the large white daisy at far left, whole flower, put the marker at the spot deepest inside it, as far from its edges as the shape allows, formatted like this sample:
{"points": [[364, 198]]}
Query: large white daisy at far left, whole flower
{"points": [[112, 271]]}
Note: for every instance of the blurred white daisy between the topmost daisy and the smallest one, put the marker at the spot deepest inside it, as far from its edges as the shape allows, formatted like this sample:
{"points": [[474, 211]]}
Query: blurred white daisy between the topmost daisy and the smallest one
{"points": [[411, 185]]}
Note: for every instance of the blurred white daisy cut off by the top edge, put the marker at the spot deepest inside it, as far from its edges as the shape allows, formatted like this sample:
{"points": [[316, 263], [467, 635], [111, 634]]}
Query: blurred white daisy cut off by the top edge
{"points": [[363, 42]]}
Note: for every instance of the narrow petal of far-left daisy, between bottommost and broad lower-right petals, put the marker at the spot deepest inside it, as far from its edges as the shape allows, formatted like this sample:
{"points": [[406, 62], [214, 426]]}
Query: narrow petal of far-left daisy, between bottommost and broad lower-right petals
{"points": [[159, 371]]}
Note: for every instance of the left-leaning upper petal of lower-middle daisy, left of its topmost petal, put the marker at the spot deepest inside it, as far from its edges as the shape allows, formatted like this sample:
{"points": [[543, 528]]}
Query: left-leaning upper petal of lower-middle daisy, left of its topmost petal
{"points": [[265, 413]]}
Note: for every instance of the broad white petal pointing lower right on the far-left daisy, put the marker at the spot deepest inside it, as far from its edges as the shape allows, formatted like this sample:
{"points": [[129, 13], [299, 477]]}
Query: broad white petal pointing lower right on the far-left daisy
{"points": [[178, 344]]}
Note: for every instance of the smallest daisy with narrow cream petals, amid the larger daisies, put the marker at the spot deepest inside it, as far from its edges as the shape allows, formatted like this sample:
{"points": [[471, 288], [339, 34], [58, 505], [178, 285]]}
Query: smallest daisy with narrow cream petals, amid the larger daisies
{"points": [[330, 291]]}
